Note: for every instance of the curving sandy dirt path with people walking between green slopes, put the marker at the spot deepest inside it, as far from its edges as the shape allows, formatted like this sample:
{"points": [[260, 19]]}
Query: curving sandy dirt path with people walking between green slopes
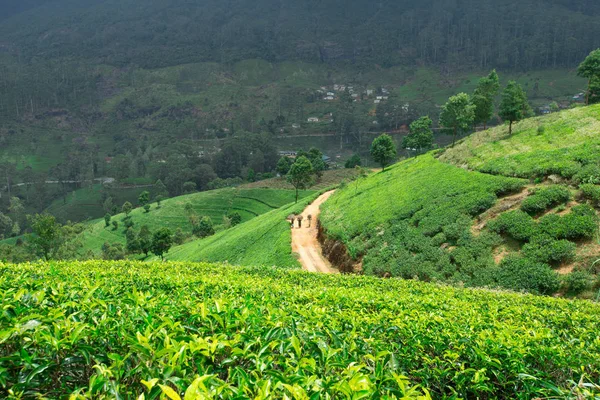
{"points": [[305, 243]]}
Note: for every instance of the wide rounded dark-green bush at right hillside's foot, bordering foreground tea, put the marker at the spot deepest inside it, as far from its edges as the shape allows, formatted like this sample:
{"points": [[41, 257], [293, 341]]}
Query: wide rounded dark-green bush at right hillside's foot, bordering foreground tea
{"points": [[523, 274]]}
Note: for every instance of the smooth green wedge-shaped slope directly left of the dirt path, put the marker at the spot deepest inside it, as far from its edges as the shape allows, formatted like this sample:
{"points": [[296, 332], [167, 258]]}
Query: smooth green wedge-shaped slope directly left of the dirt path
{"points": [[265, 240]]}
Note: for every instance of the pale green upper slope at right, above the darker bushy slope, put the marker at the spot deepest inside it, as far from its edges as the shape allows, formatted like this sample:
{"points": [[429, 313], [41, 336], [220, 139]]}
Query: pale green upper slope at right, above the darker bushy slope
{"points": [[567, 141]]}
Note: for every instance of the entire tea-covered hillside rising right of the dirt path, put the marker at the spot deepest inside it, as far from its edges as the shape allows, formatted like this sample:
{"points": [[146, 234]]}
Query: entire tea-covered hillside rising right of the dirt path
{"points": [[428, 219]]}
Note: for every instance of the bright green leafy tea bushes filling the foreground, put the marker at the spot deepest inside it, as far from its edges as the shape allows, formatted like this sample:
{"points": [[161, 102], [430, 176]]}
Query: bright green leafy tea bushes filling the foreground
{"points": [[107, 330]]}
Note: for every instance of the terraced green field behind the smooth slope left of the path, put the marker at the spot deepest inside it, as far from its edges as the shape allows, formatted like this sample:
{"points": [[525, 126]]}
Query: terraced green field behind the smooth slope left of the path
{"points": [[172, 214]]}
